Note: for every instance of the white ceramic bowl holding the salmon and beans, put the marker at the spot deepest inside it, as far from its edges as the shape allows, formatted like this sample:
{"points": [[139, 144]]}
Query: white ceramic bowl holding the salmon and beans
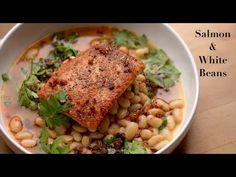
{"points": [[22, 35]]}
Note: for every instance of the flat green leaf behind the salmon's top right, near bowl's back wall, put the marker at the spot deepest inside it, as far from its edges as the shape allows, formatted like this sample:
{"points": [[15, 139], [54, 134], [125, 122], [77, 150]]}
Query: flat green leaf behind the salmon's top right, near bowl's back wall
{"points": [[130, 40]]}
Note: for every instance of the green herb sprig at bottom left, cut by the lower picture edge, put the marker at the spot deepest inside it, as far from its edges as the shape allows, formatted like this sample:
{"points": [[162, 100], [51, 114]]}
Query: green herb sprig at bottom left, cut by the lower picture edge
{"points": [[56, 147]]}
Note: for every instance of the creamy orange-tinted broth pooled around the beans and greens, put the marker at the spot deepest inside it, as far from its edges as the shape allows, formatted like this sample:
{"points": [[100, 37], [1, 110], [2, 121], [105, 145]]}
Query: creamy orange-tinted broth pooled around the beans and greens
{"points": [[21, 68]]}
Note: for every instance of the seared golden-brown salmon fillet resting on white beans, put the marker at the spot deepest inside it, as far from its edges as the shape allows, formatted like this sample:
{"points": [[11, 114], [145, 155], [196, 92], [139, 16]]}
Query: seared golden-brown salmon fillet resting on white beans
{"points": [[93, 81]]}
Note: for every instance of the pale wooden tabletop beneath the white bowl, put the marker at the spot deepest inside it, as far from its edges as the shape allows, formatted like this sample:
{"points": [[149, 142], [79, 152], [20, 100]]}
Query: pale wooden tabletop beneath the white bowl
{"points": [[214, 127]]}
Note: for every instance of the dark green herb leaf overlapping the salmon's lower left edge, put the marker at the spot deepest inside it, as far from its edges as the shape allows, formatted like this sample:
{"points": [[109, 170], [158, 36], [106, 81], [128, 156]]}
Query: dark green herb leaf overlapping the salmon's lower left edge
{"points": [[51, 110]]}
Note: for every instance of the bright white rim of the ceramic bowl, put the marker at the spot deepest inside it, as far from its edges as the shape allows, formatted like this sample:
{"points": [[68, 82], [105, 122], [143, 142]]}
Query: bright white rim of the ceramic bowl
{"points": [[181, 132]]}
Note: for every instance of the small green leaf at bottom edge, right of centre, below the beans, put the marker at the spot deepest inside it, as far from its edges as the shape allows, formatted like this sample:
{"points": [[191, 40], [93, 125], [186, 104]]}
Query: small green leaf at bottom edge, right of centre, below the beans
{"points": [[134, 147]]}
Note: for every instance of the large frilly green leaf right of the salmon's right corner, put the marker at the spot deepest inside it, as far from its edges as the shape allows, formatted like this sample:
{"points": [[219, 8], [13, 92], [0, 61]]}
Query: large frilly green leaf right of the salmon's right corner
{"points": [[159, 69]]}
